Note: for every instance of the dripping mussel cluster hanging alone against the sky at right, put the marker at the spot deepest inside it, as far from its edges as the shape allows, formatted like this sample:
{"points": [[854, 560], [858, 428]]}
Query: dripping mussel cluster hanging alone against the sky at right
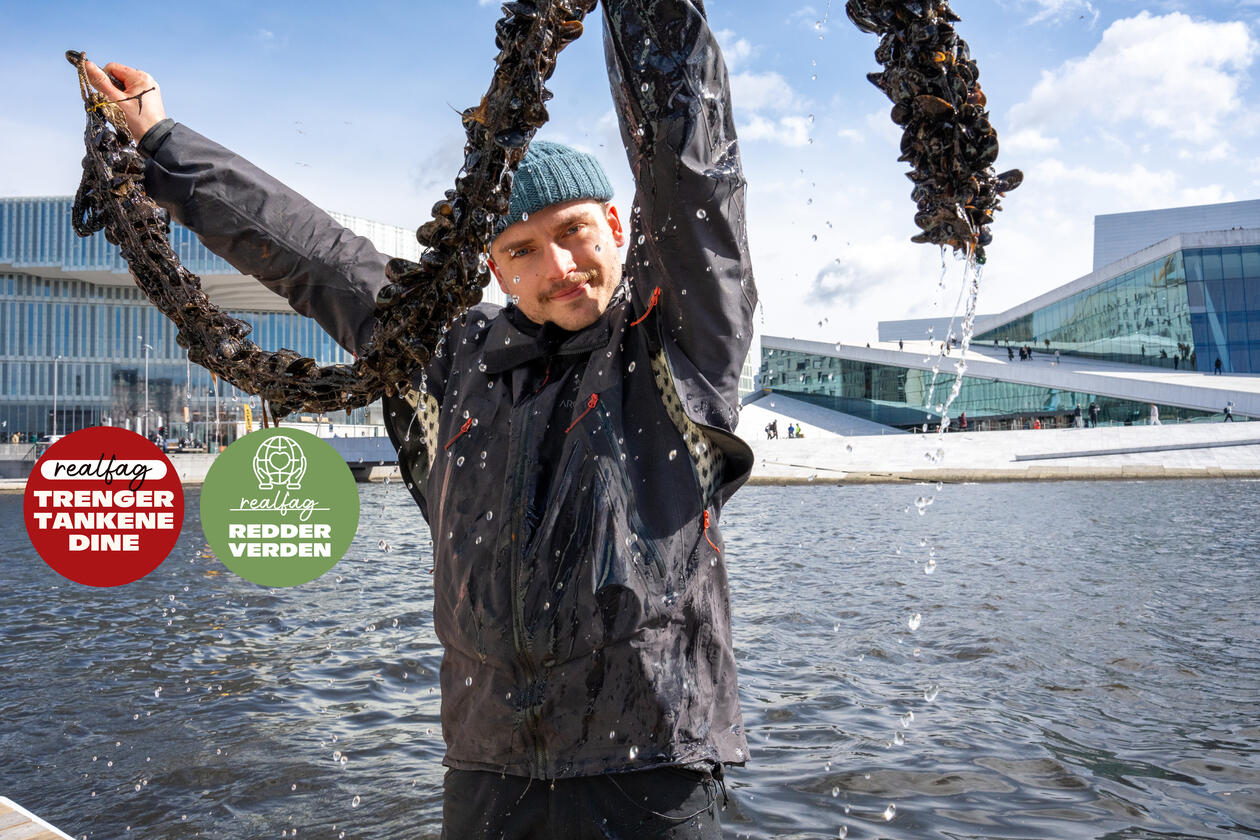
{"points": [[948, 139]]}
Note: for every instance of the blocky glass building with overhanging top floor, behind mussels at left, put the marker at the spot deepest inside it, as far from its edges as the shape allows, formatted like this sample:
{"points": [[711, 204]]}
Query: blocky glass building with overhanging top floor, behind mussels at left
{"points": [[81, 346]]}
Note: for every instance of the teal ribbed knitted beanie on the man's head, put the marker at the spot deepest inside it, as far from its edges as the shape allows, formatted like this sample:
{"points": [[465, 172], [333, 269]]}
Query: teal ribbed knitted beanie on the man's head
{"points": [[553, 173]]}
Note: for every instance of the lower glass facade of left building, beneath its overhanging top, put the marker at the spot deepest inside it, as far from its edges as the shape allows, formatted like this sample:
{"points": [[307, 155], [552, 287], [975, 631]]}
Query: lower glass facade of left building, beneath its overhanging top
{"points": [[86, 344]]}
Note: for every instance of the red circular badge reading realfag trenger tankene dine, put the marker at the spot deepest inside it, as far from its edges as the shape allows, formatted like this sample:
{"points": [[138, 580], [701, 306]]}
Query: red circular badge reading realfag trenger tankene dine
{"points": [[104, 507]]}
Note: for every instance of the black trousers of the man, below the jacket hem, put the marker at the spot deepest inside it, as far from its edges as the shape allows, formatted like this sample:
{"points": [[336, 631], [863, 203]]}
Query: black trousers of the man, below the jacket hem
{"points": [[666, 804]]}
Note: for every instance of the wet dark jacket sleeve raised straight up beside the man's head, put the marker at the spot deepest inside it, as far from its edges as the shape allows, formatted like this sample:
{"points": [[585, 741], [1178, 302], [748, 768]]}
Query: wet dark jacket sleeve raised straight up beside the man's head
{"points": [[670, 86]]}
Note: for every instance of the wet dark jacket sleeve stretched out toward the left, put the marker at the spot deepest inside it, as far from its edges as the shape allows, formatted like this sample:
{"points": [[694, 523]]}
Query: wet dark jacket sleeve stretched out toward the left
{"points": [[266, 230]]}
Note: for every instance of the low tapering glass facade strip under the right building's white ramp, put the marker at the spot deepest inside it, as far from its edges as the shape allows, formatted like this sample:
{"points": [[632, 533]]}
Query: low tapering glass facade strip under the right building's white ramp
{"points": [[908, 399]]}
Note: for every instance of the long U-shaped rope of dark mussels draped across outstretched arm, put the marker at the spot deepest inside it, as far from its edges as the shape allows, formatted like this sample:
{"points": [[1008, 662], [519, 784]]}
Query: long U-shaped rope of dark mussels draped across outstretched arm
{"points": [[423, 299]]}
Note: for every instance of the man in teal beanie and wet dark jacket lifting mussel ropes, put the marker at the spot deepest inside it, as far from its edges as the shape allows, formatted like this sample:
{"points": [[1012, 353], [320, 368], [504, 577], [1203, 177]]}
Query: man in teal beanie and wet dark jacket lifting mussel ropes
{"points": [[571, 451]]}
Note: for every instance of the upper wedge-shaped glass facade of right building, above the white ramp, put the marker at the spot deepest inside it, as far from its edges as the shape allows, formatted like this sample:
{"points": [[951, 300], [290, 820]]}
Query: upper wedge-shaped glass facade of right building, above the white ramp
{"points": [[1183, 312]]}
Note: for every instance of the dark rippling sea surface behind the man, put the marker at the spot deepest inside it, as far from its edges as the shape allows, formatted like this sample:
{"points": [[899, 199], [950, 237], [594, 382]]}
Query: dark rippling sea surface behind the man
{"points": [[1033, 661]]}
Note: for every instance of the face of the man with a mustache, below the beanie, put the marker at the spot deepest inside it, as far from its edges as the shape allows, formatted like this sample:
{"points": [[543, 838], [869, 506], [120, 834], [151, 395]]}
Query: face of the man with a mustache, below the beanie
{"points": [[561, 264]]}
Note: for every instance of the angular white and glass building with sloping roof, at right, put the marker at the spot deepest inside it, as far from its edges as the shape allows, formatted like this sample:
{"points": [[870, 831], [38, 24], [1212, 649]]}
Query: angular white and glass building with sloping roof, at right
{"points": [[1185, 303]]}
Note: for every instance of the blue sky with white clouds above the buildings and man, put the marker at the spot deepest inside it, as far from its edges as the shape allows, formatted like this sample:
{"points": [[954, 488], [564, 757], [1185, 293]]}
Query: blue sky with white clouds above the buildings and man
{"points": [[1107, 108]]}
